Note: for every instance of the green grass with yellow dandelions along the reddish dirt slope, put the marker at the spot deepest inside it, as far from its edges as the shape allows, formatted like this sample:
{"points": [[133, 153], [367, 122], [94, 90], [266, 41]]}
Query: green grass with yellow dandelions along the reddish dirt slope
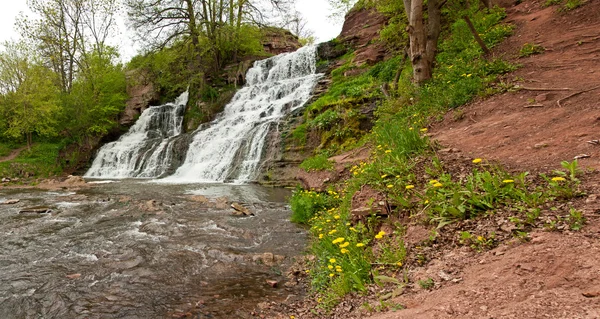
{"points": [[404, 168]]}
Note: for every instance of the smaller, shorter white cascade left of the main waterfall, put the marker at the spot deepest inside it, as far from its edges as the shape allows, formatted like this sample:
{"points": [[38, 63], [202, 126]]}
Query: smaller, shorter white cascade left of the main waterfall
{"points": [[145, 151]]}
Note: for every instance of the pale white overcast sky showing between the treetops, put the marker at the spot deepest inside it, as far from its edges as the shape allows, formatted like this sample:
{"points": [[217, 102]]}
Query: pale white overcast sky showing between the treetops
{"points": [[316, 13]]}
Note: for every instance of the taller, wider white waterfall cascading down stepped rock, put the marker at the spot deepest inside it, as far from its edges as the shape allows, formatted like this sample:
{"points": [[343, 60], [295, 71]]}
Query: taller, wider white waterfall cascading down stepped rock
{"points": [[230, 148]]}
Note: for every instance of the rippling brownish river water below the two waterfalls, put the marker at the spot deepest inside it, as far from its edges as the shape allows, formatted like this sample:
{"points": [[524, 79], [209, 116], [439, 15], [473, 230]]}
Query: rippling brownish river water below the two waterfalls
{"points": [[132, 249]]}
